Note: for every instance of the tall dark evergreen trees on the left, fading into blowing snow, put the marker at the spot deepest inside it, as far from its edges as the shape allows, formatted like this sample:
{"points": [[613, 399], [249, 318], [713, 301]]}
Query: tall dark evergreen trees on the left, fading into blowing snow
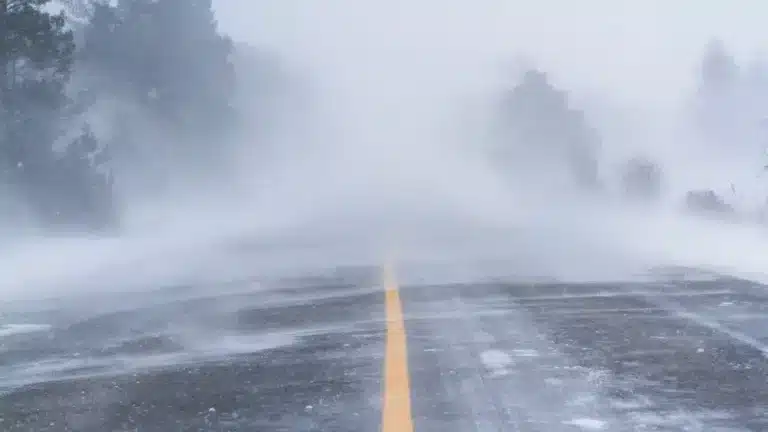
{"points": [[94, 90]]}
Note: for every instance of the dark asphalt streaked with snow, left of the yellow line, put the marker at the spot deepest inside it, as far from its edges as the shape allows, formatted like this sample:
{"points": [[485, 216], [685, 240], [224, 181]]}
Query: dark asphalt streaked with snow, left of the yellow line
{"points": [[328, 378]]}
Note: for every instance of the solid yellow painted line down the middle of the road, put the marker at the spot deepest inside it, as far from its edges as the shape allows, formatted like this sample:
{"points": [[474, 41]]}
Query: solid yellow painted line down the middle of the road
{"points": [[396, 414]]}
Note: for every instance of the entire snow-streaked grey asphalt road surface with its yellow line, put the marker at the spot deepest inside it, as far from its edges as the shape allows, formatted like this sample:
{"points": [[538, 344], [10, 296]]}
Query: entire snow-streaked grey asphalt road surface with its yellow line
{"points": [[358, 351]]}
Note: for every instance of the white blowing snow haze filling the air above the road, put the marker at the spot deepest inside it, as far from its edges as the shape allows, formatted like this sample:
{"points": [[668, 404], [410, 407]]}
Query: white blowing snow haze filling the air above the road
{"points": [[391, 153]]}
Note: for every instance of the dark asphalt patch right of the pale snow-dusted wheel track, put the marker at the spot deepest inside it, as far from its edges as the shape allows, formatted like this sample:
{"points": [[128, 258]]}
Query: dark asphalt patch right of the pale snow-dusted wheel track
{"points": [[657, 357]]}
